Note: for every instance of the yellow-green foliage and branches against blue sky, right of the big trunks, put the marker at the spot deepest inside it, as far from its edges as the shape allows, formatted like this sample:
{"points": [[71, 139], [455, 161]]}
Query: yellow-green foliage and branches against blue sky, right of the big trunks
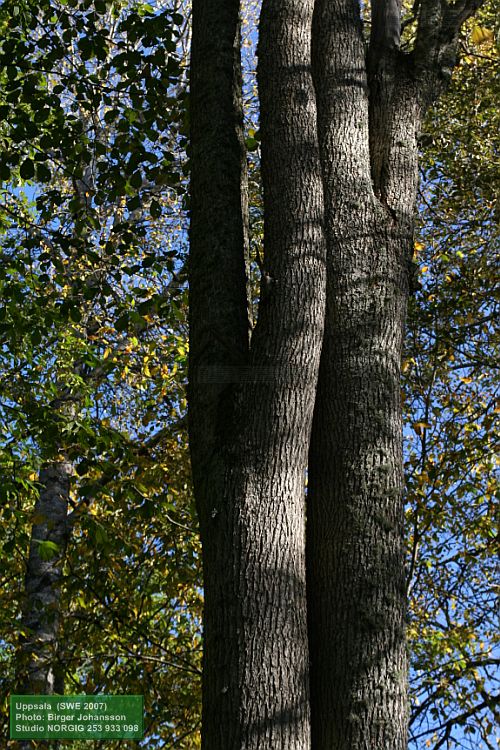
{"points": [[450, 384]]}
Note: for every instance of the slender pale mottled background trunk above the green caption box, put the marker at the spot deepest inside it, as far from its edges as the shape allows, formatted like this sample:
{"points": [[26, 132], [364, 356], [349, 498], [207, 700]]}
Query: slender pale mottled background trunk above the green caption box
{"points": [[37, 671]]}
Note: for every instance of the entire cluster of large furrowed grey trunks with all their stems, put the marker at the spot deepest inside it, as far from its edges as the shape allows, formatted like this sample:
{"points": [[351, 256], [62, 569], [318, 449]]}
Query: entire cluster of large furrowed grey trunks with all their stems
{"points": [[251, 405]]}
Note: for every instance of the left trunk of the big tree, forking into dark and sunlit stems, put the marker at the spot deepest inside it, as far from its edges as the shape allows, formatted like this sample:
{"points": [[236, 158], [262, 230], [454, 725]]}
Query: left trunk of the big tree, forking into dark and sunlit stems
{"points": [[250, 487]]}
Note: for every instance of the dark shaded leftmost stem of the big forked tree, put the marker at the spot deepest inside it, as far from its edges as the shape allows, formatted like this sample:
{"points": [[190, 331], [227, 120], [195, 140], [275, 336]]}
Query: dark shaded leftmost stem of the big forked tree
{"points": [[218, 315]]}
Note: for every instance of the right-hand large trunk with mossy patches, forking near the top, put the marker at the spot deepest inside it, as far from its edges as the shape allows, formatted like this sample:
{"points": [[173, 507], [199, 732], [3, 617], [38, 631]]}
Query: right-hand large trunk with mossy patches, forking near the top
{"points": [[355, 545]]}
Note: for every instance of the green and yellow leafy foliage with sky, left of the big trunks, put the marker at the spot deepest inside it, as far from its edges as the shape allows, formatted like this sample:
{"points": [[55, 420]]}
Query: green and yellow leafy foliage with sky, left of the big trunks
{"points": [[94, 281]]}
